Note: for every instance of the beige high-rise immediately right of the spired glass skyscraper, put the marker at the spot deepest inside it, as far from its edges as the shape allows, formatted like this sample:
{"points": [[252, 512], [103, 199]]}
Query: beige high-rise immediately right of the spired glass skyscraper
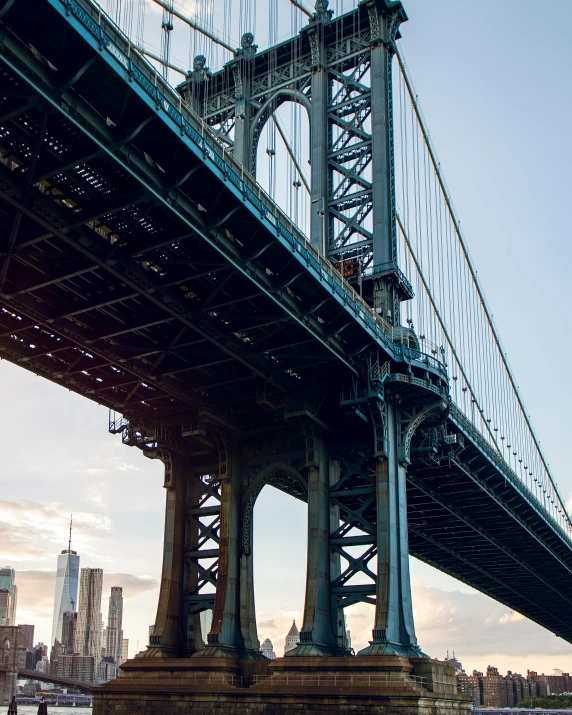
{"points": [[88, 630]]}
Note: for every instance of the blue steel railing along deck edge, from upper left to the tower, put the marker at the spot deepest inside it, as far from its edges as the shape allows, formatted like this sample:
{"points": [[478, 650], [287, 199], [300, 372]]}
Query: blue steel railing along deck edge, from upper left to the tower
{"points": [[141, 72]]}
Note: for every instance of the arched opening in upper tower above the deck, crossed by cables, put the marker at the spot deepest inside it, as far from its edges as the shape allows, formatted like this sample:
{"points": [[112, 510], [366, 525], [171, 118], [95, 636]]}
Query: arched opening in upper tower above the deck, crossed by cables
{"points": [[282, 148]]}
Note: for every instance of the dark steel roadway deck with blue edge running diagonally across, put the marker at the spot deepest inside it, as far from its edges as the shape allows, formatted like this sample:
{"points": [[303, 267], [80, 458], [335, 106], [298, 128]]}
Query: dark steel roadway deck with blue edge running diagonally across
{"points": [[145, 270]]}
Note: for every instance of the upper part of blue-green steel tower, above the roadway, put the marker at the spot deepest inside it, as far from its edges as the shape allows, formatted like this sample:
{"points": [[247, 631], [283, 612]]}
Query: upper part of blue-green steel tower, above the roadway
{"points": [[339, 70]]}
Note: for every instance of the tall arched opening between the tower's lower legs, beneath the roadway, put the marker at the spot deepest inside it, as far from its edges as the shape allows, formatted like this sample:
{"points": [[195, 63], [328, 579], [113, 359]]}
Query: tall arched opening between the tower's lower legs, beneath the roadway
{"points": [[280, 528]]}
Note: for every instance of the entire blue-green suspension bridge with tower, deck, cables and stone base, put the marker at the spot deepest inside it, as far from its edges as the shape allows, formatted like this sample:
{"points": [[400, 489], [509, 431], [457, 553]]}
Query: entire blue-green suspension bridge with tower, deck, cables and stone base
{"points": [[339, 348]]}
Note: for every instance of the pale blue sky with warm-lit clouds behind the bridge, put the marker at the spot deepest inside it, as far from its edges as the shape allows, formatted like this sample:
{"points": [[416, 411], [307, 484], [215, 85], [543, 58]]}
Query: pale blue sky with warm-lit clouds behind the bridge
{"points": [[493, 81]]}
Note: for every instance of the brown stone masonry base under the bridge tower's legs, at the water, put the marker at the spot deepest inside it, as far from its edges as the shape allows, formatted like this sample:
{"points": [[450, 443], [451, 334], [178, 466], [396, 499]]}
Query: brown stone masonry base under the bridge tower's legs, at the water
{"points": [[303, 686]]}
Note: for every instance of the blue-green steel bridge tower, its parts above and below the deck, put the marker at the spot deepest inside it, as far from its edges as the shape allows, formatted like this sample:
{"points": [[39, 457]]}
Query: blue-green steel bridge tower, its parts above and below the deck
{"points": [[339, 70]]}
